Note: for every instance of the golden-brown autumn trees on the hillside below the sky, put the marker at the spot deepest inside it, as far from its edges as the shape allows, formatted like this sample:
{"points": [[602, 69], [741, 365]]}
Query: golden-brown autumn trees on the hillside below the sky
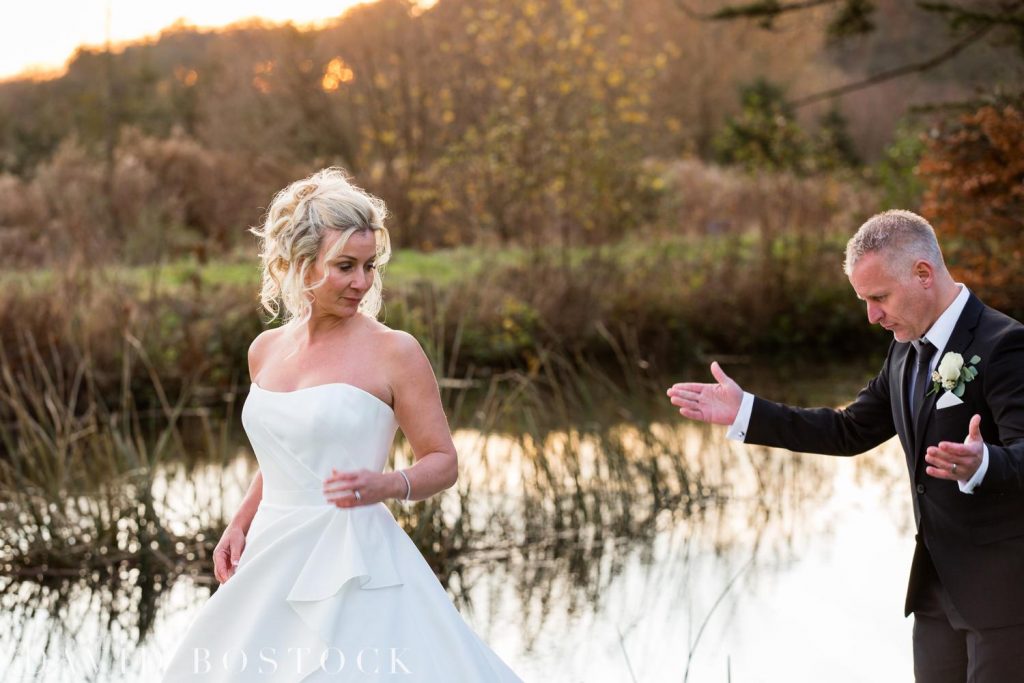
{"points": [[480, 122]]}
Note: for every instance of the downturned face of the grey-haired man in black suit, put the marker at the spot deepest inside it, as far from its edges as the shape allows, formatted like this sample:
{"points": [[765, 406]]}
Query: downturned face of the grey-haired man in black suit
{"points": [[897, 302]]}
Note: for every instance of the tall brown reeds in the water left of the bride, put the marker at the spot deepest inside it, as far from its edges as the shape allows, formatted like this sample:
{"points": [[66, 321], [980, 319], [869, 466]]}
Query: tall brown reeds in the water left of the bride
{"points": [[77, 476]]}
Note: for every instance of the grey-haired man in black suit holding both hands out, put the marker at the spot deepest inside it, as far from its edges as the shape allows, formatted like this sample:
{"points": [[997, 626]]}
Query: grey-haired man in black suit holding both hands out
{"points": [[967, 580]]}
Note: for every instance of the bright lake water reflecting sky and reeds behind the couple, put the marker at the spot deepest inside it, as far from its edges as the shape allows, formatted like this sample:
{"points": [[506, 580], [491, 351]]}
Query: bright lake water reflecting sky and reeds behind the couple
{"points": [[711, 566]]}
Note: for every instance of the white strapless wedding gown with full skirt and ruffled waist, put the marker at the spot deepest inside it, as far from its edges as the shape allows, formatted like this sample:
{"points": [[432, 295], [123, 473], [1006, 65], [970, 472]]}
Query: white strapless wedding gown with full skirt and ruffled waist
{"points": [[321, 593]]}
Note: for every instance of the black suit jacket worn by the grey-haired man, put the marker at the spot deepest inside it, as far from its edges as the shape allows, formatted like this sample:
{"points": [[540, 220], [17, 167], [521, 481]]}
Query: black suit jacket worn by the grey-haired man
{"points": [[976, 542]]}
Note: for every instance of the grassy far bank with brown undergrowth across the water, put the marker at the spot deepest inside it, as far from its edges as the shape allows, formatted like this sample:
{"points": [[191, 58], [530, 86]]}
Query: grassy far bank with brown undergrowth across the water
{"points": [[666, 303]]}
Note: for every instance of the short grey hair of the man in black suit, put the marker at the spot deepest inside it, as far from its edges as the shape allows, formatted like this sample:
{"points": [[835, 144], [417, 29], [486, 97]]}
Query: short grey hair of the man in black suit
{"points": [[904, 236]]}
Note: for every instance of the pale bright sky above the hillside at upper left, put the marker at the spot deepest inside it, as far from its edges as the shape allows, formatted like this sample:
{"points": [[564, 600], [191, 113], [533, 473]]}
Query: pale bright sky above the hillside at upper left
{"points": [[44, 34]]}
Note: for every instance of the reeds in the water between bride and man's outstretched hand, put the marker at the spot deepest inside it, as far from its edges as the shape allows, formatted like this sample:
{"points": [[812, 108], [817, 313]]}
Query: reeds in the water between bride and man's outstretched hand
{"points": [[589, 460]]}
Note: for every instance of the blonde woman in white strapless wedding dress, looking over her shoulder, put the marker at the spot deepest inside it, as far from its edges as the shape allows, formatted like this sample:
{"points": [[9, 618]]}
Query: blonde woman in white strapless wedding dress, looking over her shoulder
{"points": [[319, 581]]}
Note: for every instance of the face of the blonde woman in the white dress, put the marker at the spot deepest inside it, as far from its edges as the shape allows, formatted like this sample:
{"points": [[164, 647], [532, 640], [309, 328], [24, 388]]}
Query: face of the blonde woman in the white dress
{"points": [[350, 275]]}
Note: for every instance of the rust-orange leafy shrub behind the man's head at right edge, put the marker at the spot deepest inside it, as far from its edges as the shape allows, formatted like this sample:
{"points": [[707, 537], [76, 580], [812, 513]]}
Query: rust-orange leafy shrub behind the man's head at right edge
{"points": [[974, 177]]}
